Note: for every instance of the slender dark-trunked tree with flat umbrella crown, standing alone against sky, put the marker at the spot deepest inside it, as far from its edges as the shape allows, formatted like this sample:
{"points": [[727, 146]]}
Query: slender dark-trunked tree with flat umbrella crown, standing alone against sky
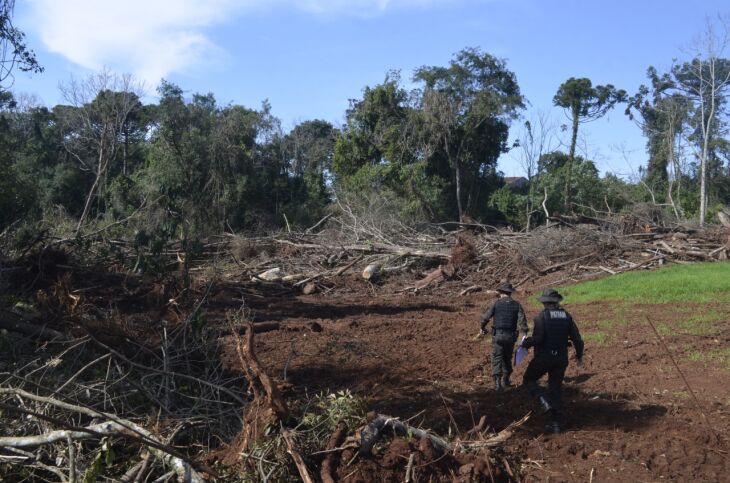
{"points": [[583, 103]]}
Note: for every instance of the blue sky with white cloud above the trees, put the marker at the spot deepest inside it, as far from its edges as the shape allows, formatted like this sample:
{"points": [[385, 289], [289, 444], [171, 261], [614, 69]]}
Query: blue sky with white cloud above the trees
{"points": [[308, 57]]}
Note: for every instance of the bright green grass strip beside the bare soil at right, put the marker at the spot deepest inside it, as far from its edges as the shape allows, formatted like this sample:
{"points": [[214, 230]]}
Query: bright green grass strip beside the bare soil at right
{"points": [[699, 282]]}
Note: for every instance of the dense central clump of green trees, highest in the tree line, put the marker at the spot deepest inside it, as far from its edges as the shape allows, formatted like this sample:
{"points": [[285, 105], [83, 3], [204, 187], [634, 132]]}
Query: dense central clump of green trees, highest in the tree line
{"points": [[436, 146]]}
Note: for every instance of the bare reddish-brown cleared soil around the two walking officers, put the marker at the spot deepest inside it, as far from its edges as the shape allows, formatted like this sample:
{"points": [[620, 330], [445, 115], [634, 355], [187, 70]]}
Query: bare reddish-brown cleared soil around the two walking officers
{"points": [[630, 415]]}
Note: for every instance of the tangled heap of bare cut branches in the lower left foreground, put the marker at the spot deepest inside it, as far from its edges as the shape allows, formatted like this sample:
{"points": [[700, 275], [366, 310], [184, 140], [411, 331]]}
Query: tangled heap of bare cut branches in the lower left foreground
{"points": [[88, 401]]}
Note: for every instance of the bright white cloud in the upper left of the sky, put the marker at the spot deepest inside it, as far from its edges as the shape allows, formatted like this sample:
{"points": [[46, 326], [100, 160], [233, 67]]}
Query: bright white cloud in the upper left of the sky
{"points": [[152, 38]]}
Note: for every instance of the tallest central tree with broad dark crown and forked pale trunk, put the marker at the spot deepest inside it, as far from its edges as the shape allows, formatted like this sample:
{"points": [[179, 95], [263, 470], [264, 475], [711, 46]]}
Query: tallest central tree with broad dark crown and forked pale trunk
{"points": [[467, 109]]}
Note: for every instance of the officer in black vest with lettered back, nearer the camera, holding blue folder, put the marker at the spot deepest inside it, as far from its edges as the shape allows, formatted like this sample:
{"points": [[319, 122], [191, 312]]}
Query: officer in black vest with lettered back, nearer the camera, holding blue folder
{"points": [[553, 328]]}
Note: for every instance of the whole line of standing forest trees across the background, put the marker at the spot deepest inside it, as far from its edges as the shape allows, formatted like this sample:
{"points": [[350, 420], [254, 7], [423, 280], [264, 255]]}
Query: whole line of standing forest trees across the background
{"points": [[189, 166]]}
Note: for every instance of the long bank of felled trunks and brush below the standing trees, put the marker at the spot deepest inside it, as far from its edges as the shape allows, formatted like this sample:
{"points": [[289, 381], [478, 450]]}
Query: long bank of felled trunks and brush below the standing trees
{"points": [[567, 249]]}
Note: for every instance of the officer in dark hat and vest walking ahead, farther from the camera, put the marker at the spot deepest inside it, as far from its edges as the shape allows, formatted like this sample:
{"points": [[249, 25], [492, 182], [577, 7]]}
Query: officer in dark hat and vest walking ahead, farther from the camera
{"points": [[508, 318]]}
